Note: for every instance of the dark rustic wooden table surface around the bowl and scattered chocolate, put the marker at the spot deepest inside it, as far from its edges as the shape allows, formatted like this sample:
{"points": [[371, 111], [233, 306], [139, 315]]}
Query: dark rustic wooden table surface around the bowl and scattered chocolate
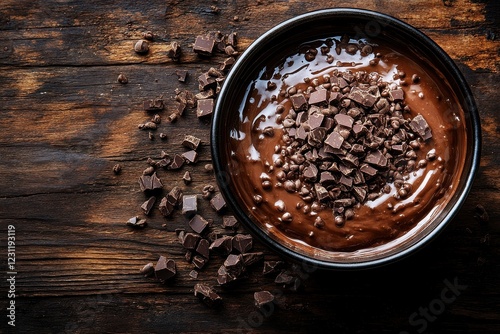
{"points": [[65, 122]]}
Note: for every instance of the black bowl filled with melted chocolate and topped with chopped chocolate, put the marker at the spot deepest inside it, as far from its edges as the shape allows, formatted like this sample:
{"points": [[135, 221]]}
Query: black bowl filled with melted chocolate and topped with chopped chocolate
{"points": [[345, 138]]}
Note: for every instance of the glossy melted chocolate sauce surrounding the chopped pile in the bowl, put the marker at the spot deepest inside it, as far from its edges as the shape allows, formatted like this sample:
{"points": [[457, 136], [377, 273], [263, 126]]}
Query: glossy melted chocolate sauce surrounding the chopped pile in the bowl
{"points": [[376, 222]]}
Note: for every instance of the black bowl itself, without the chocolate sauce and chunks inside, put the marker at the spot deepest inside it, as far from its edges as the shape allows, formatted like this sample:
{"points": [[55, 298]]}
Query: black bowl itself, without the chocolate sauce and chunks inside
{"points": [[321, 24]]}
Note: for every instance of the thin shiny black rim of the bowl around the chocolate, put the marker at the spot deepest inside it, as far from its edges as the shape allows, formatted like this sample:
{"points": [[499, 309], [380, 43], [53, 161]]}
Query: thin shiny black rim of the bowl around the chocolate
{"points": [[451, 67]]}
